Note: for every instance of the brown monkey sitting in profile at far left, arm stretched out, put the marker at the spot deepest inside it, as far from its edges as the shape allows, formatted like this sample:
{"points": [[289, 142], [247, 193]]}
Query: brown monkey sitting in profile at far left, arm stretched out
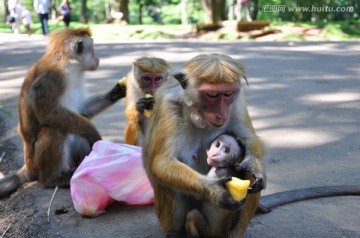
{"points": [[55, 111]]}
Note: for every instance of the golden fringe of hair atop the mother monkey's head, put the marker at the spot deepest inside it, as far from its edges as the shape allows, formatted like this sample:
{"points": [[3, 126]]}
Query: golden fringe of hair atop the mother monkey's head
{"points": [[215, 68]]}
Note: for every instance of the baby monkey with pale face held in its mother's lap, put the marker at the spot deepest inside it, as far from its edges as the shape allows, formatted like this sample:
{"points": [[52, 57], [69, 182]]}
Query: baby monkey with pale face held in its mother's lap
{"points": [[223, 155]]}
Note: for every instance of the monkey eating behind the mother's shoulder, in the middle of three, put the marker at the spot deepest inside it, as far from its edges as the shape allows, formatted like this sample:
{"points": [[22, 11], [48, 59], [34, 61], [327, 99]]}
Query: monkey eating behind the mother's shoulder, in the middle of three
{"points": [[147, 75]]}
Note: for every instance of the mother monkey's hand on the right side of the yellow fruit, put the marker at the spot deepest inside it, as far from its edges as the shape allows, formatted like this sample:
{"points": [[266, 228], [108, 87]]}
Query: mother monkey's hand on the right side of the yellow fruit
{"points": [[253, 166]]}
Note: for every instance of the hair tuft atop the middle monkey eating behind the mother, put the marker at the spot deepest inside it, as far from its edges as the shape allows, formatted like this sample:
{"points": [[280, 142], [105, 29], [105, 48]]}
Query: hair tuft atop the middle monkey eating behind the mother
{"points": [[152, 64]]}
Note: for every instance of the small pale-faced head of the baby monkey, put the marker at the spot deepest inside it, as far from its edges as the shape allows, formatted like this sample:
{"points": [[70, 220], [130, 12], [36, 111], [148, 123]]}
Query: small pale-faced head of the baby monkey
{"points": [[223, 152]]}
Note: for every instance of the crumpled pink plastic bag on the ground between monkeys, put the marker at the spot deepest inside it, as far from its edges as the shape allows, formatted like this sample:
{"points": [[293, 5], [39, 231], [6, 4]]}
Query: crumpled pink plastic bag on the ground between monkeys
{"points": [[111, 172]]}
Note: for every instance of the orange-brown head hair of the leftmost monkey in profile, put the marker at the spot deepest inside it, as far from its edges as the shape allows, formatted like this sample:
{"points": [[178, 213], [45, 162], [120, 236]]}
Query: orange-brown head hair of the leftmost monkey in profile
{"points": [[58, 42]]}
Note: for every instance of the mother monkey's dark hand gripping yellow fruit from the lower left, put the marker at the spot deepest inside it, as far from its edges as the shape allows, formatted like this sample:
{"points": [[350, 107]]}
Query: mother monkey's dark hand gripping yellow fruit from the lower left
{"points": [[226, 200]]}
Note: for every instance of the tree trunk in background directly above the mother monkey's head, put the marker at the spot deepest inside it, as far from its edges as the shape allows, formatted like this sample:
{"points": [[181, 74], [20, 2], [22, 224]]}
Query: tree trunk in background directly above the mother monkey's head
{"points": [[214, 11]]}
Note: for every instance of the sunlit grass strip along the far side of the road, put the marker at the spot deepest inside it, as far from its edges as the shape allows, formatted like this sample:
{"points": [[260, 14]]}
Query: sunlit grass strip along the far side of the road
{"points": [[334, 31]]}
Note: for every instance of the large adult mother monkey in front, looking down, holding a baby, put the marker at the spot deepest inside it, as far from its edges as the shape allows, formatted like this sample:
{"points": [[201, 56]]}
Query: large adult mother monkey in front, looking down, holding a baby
{"points": [[185, 120]]}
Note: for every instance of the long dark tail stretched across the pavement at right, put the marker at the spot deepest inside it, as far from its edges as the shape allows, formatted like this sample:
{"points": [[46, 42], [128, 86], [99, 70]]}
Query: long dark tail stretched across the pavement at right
{"points": [[268, 202]]}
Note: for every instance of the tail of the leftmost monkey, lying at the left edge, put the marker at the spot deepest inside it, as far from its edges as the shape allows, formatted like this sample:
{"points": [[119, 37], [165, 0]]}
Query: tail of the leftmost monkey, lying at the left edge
{"points": [[11, 182]]}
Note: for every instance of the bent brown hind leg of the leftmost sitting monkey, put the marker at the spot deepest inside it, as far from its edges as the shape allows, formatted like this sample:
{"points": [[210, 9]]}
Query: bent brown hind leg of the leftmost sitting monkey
{"points": [[48, 157]]}
